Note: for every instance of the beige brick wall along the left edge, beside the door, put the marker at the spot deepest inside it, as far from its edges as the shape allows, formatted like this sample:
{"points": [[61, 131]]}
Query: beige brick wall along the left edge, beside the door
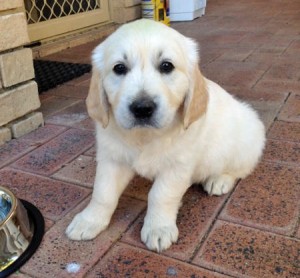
{"points": [[18, 91]]}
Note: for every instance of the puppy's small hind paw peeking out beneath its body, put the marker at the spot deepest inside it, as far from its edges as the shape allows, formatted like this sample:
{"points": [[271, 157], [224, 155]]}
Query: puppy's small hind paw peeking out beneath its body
{"points": [[219, 185]]}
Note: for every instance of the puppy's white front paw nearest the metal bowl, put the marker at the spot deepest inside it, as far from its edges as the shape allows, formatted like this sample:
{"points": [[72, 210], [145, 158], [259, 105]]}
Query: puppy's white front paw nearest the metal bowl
{"points": [[85, 228]]}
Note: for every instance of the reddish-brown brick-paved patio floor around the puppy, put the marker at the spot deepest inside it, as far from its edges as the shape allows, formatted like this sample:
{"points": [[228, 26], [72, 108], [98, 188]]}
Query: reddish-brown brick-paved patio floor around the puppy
{"points": [[251, 48]]}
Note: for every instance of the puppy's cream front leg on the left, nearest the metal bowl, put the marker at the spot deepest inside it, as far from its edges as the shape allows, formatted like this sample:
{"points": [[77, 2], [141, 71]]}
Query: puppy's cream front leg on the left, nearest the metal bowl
{"points": [[111, 180]]}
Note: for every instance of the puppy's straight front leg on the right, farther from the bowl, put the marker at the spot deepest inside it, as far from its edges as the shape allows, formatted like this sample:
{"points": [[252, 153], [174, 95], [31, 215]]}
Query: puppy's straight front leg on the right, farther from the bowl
{"points": [[160, 230]]}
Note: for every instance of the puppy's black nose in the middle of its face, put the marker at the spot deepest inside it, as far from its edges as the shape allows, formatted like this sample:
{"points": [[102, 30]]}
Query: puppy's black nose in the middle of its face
{"points": [[143, 108]]}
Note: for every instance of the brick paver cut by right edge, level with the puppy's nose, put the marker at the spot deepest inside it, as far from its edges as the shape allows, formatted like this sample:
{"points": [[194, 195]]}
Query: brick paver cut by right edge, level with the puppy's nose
{"points": [[290, 111]]}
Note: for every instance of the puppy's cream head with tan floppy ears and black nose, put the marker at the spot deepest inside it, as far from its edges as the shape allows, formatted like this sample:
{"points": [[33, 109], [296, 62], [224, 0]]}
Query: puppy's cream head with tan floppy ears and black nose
{"points": [[146, 75]]}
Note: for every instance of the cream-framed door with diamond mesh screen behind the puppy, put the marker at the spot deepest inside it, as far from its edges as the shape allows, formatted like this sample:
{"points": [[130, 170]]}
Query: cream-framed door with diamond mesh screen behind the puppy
{"points": [[49, 18]]}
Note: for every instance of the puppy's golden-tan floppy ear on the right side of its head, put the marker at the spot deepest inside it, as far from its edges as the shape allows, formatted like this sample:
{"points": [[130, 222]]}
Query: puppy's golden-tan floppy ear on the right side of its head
{"points": [[196, 100]]}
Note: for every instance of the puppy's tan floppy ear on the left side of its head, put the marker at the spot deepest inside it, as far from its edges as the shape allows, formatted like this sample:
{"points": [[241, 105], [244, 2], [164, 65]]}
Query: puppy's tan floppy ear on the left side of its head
{"points": [[96, 102]]}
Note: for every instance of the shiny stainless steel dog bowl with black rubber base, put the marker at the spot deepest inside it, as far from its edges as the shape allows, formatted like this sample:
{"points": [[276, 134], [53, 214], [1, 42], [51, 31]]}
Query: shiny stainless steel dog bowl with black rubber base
{"points": [[21, 231]]}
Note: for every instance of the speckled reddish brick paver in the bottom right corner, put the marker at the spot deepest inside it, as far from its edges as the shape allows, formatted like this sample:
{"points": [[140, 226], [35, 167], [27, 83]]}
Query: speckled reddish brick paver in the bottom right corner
{"points": [[246, 252]]}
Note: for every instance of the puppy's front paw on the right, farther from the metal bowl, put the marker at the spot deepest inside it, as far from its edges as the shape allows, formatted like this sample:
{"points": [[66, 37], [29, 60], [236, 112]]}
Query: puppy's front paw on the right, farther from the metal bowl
{"points": [[159, 237]]}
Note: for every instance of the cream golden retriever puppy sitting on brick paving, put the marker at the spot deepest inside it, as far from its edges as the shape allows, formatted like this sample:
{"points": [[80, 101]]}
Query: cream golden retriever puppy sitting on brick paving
{"points": [[156, 115]]}
